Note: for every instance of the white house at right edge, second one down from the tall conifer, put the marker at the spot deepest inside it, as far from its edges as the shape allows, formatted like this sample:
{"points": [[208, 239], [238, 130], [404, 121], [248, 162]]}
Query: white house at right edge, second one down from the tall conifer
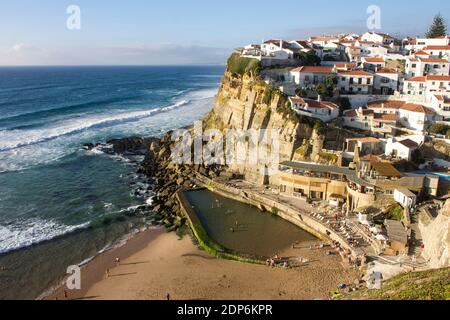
{"points": [[416, 67]]}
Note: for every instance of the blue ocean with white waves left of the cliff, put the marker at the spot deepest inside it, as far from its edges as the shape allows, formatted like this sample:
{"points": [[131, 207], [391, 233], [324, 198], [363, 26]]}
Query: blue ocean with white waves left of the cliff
{"points": [[61, 204]]}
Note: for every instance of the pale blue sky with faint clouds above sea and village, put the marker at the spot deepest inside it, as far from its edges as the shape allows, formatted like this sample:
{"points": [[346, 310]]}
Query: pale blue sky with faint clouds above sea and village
{"points": [[161, 32]]}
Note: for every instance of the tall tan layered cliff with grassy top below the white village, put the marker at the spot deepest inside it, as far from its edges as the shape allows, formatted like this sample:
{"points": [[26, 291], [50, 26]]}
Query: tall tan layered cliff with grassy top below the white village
{"points": [[245, 102]]}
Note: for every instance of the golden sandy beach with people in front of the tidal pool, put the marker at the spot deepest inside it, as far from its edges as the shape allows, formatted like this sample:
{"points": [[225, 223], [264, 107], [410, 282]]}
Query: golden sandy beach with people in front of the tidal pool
{"points": [[154, 264]]}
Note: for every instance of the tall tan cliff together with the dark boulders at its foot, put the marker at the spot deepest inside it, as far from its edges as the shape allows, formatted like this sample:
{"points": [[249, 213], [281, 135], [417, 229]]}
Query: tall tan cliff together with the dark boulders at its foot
{"points": [[244, 102]]}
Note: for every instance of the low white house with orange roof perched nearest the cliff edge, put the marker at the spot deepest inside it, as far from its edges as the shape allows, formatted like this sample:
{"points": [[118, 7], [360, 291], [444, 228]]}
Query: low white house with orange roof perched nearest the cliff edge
{"points": [[323, 110]]}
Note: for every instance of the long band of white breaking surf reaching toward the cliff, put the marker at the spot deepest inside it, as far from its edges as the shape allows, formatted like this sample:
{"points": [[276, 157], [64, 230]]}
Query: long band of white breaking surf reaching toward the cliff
{"points": [[184, 111]]}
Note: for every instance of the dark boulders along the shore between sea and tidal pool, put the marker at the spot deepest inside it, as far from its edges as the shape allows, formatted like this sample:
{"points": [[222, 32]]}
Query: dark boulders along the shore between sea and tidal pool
{"points": [[165, 178]]}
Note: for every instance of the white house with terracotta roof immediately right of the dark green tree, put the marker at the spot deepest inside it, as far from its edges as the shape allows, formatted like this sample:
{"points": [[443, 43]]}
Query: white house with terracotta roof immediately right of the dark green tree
{"points": [[355, 82]]}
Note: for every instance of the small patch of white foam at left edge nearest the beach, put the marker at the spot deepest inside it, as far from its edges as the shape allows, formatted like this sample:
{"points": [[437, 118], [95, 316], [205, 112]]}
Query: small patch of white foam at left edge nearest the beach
{"points": [[25, 233]]}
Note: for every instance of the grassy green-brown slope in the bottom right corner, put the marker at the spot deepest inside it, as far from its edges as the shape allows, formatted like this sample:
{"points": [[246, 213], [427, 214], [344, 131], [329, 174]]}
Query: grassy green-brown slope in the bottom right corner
{"points": [[426, 285]]}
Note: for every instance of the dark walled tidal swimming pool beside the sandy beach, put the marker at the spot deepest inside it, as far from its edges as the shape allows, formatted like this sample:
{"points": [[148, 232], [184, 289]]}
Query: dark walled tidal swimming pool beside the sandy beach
{"points": [[244, 228]]}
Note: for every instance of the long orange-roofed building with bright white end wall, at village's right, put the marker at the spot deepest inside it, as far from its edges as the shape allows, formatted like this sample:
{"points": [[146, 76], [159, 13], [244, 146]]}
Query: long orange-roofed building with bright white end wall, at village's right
{"points": [[411, 116]]}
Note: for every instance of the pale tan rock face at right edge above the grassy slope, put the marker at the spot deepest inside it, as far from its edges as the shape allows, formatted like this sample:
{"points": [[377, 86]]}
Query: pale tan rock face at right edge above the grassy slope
{"points": [[436, 237]]}
